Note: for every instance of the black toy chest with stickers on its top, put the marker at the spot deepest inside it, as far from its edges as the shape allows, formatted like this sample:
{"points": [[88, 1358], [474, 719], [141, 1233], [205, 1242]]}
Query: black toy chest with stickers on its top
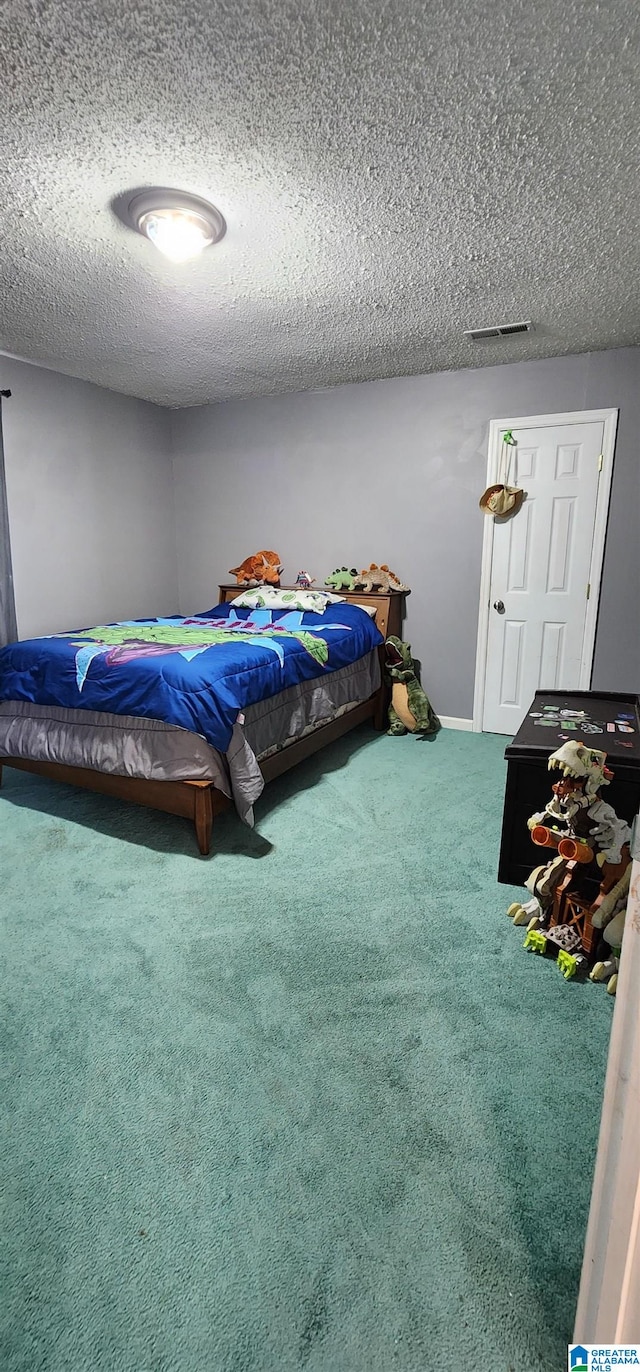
{"points": [[608, 721]]}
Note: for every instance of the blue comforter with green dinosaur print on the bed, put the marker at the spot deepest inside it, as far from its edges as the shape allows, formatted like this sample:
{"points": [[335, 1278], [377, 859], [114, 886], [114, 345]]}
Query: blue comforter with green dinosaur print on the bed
{"points": [[194, 673]]}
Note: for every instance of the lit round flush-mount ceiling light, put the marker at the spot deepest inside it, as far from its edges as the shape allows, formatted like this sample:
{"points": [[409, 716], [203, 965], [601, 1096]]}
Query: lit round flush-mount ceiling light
{"points": [[181, 226]]}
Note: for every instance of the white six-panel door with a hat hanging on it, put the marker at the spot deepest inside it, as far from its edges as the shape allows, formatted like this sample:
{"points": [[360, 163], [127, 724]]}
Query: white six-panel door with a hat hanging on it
{"points": [[543, 574]]}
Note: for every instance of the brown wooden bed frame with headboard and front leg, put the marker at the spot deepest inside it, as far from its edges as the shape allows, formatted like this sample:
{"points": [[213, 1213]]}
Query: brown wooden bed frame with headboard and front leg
{"points": [[200, 801]]}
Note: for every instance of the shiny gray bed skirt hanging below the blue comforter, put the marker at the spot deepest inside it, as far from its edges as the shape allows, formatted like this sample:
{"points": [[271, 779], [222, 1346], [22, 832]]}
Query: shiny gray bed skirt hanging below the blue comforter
{"points": [[128, 746]]}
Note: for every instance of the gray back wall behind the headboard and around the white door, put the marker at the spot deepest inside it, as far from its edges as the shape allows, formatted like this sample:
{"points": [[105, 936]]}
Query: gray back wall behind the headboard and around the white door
{"points": [[392, 471]]}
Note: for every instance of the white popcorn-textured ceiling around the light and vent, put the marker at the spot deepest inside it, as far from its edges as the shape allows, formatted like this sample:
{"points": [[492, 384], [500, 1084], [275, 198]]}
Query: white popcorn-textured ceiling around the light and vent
{"points": [[391, 172]]}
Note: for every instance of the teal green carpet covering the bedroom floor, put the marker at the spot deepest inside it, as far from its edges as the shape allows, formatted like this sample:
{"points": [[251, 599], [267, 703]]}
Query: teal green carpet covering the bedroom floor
{"points": [[307, 1105]]}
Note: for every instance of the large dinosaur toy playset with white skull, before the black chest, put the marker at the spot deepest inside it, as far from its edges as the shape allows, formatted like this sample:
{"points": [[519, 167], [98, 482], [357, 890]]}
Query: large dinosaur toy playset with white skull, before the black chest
{"points": [[583, 887]]}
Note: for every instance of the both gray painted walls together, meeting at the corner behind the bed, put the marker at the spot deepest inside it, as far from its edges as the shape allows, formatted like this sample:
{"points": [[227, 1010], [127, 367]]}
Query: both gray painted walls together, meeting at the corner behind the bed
{"points": [[387, 471]]}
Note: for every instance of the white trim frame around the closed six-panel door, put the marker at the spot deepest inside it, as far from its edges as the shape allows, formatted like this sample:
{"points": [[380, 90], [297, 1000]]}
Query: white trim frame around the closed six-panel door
{"points": [[609, 419]]}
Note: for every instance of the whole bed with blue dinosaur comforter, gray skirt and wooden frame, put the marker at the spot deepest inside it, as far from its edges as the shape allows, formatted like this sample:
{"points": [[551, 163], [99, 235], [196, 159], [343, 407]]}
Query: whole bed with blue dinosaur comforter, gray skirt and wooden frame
{"points": [[109, 711]]}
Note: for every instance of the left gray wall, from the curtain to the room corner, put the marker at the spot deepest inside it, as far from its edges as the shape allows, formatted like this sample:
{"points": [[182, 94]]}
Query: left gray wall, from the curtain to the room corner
{"points": [[90, 501]]}
